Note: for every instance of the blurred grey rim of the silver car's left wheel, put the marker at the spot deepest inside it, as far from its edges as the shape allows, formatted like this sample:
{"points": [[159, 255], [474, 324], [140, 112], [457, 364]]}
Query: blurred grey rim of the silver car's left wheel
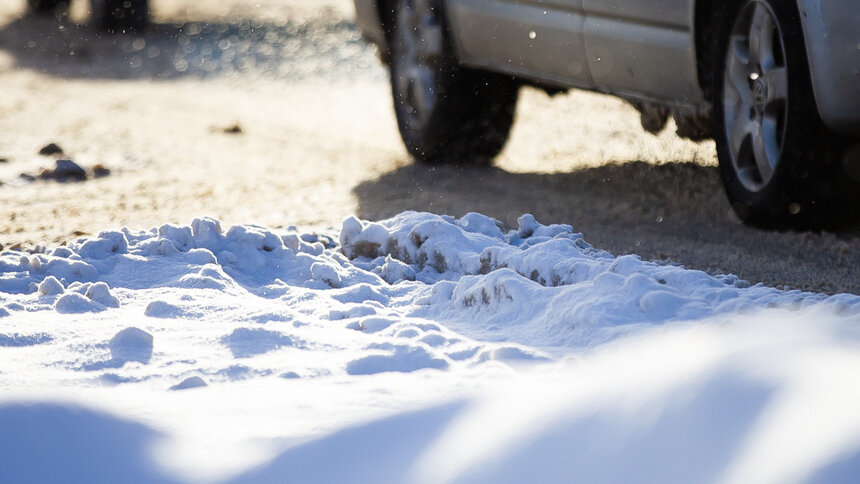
{"points": [[419, 46]]}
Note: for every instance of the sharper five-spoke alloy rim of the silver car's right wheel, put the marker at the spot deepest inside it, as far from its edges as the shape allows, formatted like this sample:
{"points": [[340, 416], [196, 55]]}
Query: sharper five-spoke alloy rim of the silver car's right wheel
{"points": [[755, 95]]}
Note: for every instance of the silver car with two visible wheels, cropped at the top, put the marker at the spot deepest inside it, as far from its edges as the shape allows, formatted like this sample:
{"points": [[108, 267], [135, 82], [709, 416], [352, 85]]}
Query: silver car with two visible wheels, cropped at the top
{"points": [[776, 83]]}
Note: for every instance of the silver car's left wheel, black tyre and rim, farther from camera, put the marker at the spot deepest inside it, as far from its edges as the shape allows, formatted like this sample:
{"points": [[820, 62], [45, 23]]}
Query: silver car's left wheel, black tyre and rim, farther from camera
{"points": [[446, 113]]}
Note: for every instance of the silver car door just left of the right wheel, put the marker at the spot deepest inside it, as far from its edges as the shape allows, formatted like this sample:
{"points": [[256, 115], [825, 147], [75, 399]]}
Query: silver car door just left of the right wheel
{"points": [[642, 48]]}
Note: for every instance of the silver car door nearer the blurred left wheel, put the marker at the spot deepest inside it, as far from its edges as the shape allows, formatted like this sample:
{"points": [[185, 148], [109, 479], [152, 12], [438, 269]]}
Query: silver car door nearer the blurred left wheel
{"points": [[539, 39]]}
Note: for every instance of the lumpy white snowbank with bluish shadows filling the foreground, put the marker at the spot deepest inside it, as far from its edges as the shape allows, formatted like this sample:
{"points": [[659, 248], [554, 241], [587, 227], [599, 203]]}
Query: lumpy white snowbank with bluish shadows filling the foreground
{"points": [[423, 349]]}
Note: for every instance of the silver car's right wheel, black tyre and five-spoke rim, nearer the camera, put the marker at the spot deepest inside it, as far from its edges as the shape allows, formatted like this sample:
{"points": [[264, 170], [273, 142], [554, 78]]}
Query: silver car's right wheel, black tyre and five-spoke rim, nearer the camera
{"points": [[778, 162]]}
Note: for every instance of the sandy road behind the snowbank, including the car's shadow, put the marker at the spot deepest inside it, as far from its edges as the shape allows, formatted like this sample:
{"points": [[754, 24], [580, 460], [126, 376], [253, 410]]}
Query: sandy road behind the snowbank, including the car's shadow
{"points": [[318, 142]]}
